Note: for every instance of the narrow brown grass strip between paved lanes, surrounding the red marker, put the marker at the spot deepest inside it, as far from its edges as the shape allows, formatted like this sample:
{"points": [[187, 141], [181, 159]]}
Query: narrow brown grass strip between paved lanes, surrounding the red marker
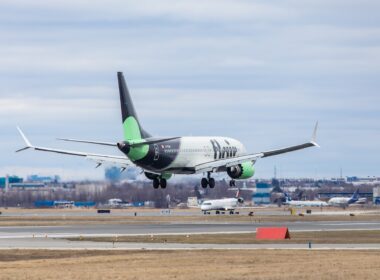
{"points": [[318, 237]]}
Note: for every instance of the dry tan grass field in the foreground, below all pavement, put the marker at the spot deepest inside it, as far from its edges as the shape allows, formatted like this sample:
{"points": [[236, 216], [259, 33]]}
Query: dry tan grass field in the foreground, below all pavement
{"points": [[157, 265]]}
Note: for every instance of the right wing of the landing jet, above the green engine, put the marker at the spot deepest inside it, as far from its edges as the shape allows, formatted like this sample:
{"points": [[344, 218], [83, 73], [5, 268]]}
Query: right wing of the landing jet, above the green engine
{"points": [[214, 166]]}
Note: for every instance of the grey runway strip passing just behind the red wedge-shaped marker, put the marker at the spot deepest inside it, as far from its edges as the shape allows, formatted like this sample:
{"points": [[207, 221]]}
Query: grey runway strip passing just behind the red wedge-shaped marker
{"points": [[173, 228]]}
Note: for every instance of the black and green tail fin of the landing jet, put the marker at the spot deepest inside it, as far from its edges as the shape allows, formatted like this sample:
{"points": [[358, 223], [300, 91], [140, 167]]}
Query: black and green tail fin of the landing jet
{"points": [[132, 127]]}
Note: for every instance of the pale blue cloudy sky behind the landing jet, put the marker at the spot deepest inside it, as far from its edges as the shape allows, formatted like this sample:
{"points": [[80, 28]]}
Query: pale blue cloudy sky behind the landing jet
{"points": [[262, 72]]}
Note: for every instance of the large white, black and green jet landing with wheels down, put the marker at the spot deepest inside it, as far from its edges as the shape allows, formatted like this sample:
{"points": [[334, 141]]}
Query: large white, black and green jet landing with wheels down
{"points": [[162, 157]]}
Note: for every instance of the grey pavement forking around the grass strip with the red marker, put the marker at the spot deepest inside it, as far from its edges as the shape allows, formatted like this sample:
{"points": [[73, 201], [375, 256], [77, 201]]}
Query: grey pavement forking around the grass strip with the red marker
{"points": [[52, 237]]}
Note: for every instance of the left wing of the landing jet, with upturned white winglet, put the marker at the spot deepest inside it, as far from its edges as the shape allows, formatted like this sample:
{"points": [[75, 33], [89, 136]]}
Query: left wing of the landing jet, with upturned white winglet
{"points": [[121, 161]]}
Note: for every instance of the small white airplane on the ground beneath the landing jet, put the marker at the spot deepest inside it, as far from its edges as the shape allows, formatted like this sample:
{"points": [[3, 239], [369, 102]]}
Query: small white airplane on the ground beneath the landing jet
{"points": [[225, 204]]}
